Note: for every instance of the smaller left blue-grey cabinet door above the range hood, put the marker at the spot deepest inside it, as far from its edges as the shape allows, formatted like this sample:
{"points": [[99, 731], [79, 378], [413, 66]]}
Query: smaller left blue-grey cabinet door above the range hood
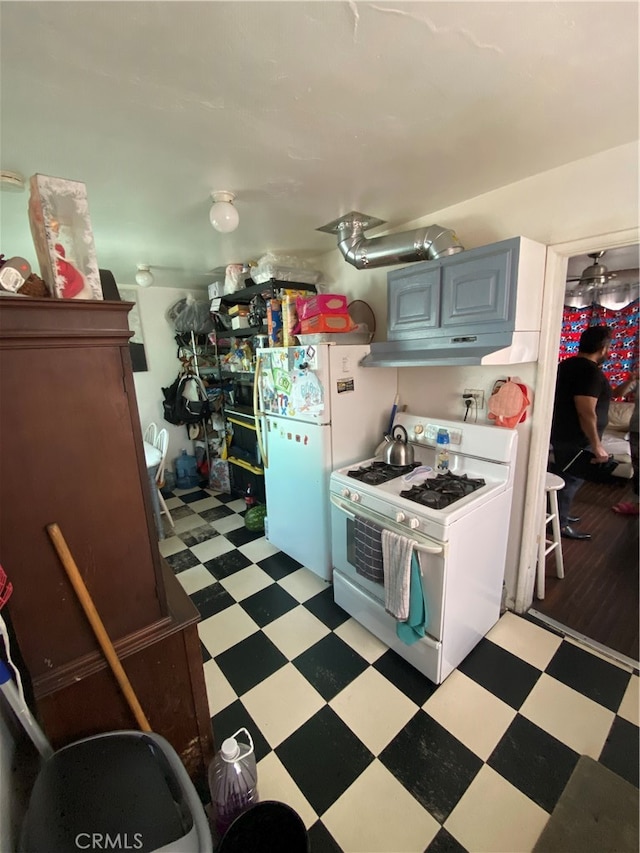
{"points": [[414, 301]]}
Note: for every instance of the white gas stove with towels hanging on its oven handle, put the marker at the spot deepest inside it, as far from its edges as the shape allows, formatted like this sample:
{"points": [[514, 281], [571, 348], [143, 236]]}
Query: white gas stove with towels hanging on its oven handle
{"points": [[462, 546]]}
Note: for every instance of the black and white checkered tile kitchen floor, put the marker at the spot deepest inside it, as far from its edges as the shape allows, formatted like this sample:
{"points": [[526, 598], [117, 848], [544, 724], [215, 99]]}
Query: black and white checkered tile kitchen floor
{"points": [[372, 755]]}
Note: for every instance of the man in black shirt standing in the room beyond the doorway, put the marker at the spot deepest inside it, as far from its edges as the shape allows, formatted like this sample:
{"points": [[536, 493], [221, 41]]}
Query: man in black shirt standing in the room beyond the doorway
{"points": [[580, 414]]}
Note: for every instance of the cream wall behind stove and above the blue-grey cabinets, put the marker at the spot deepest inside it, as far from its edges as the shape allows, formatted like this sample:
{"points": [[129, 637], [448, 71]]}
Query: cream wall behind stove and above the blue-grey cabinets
{"points": [[596, 195]]}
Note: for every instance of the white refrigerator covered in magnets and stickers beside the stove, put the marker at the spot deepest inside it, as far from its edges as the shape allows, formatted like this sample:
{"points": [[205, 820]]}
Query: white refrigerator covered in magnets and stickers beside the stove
{"points": [[317, 410]]}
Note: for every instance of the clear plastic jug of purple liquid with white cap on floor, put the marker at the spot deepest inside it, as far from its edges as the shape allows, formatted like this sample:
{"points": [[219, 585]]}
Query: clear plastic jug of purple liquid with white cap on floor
{"points": [[233, 781]]}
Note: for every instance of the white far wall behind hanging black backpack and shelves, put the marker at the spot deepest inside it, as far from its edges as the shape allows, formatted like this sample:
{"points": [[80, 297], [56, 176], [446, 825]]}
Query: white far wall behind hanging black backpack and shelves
{"points": [[162, 361]]}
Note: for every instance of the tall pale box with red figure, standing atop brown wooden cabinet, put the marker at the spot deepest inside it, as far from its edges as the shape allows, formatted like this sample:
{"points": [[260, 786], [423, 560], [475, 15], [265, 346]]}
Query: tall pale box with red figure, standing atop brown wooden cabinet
{"points": [[63, 239]]}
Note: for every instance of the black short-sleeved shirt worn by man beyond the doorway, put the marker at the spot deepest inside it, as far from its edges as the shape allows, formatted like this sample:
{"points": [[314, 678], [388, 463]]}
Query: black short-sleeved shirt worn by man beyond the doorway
{"points": [[578, 377]]}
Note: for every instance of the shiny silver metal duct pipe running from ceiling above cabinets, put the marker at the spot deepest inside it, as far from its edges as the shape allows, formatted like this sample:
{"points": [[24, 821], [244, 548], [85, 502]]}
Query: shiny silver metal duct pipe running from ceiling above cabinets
{"points": [[363, 252]]}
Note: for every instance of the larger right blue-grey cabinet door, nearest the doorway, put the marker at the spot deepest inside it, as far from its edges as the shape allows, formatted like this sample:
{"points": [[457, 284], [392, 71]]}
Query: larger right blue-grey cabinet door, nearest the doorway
{"points": [[479, 291]]}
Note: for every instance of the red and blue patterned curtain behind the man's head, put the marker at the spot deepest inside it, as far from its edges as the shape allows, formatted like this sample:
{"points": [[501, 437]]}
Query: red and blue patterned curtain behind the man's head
{"points": [[623, 356]]}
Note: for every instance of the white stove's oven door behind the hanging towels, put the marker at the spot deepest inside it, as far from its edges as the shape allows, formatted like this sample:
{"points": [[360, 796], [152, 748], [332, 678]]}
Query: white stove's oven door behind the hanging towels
{"points": [[431, 553]]}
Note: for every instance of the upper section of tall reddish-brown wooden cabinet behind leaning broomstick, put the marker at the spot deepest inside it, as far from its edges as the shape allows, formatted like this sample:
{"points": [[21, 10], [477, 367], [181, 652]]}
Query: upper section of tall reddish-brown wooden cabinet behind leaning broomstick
{"points": [[71, 453]]}
